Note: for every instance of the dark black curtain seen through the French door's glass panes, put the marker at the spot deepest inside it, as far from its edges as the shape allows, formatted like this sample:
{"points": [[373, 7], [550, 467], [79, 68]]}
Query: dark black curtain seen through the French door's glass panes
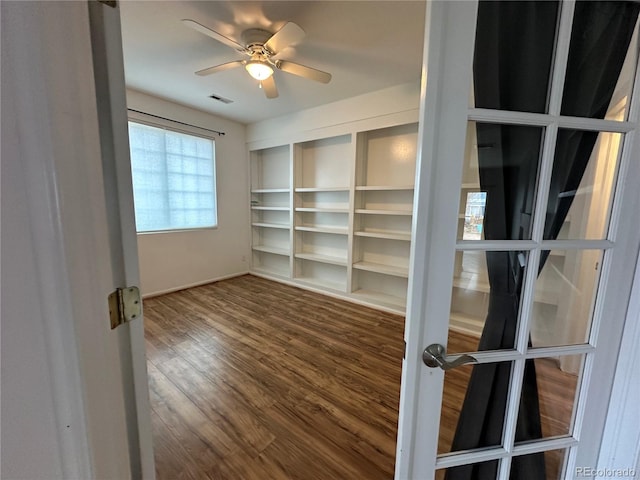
{"points": [[512, 64]]}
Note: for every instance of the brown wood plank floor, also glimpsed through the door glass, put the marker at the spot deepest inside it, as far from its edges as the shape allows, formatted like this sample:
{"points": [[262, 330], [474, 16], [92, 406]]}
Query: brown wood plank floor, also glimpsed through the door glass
{"points": [[252, 379]]}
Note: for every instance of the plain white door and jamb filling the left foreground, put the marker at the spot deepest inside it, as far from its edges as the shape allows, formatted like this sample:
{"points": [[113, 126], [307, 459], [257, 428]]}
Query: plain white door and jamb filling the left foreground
{"points": [[83, 412]]}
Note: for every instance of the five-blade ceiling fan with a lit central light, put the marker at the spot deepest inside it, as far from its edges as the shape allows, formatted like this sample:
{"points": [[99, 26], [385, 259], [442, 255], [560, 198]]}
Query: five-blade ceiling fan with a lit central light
{"points": [[262, 48]]}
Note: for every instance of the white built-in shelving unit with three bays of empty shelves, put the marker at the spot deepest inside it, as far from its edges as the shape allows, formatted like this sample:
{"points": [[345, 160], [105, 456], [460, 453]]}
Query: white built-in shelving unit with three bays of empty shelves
{"points": [[349, 205]]}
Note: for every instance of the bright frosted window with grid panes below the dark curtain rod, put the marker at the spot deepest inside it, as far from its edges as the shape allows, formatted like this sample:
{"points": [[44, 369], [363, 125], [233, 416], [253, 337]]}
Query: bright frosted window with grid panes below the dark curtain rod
{"points": [[174, 183]]}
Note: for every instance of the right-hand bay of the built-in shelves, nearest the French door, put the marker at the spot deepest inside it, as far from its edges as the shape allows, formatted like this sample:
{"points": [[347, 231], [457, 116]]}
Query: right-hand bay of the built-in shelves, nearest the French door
{"points": [[385, 176]]}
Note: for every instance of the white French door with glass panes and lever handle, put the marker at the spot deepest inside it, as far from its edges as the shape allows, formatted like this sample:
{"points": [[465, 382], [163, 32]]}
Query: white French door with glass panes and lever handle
{"points": [[525, 237]]}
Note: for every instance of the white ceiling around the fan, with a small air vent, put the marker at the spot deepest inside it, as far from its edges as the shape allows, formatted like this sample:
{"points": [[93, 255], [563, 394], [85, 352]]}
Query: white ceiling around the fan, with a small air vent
{"points": [[365, 45]]}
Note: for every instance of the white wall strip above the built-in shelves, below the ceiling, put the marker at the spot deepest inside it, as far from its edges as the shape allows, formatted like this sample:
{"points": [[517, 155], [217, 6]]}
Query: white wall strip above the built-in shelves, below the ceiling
{"points": [[383, 108]]}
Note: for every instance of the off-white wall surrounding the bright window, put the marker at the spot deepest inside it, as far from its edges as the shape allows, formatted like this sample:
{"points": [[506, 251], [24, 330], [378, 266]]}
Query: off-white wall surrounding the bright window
{"points": [[170, 261]]}
